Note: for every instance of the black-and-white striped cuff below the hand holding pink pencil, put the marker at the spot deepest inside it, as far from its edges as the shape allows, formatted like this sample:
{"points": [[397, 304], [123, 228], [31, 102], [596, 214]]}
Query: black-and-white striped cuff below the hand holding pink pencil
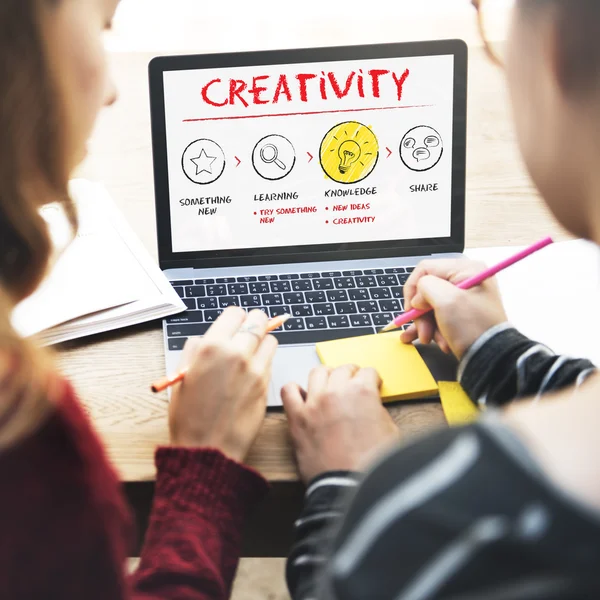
{"points": [[504, 365]]}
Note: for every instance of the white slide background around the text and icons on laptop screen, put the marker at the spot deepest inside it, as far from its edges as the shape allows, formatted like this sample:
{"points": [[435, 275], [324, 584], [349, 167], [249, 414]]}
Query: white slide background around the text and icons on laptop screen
{"points": [[427, 99]]}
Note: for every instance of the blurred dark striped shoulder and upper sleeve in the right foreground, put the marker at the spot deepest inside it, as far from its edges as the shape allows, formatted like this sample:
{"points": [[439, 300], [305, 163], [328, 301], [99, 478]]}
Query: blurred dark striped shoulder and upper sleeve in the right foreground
{"points": [[433, 521]]}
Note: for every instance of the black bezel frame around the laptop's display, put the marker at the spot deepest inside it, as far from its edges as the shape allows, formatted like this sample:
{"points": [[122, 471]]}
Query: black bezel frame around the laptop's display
{"points": [[318, 252]]}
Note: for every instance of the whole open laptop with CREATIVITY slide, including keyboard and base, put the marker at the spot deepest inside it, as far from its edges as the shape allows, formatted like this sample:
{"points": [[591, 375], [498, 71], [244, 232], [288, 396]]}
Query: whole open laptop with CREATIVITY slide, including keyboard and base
{"points": [[306, 181]]}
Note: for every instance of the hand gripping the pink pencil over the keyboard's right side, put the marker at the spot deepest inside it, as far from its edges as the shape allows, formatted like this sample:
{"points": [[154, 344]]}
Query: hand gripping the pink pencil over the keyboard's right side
{"points": [[460, 317]]}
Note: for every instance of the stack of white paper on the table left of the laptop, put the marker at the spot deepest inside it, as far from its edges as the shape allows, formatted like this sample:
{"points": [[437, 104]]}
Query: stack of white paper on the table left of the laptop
{"points": [[103, 280]]}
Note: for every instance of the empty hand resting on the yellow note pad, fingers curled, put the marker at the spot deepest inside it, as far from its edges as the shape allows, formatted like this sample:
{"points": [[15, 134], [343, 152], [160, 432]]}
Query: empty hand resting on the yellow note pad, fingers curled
{"points": [[339, 423]]}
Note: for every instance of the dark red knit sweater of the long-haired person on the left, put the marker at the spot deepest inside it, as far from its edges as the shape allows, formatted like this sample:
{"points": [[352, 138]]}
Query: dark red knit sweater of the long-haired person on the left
{"points": [[65, 529]]}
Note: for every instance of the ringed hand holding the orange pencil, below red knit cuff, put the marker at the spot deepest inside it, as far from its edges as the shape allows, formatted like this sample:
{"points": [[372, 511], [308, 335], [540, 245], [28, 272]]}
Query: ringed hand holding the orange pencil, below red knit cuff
{"points": [[222, 400]]}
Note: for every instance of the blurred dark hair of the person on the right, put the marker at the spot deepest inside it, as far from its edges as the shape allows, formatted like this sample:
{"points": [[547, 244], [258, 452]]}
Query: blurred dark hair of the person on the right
{"points": [[578, 23]]}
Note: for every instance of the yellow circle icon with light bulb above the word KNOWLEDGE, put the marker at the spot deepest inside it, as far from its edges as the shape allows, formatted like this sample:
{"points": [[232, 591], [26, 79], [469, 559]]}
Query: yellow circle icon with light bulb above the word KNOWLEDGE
{"points": [[349, 152]]}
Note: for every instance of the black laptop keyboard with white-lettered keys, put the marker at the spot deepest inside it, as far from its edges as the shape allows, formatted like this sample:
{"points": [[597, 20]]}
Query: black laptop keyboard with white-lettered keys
{"points": [[324, 305]]}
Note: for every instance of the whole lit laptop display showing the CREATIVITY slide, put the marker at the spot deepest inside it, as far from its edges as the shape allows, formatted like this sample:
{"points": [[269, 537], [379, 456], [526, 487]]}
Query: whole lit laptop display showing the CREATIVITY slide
{"points": [[310, 154]]}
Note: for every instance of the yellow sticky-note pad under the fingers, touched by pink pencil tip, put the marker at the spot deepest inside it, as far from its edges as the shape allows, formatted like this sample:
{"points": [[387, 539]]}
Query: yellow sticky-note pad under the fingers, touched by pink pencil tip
{"points": [[404, 373]]}
